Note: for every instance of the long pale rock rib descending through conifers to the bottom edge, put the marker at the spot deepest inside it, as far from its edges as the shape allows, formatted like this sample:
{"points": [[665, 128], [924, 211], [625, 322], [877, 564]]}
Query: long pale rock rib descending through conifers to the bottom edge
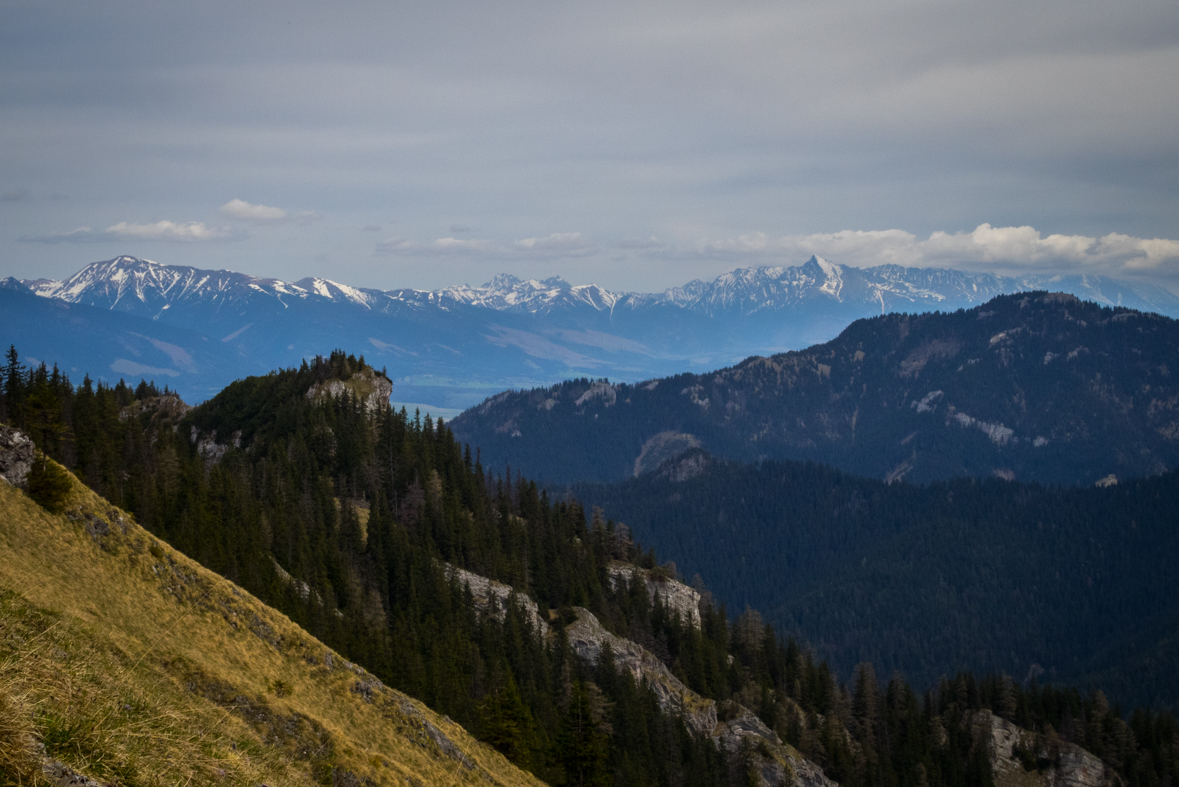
{"points": [[774, 762]]}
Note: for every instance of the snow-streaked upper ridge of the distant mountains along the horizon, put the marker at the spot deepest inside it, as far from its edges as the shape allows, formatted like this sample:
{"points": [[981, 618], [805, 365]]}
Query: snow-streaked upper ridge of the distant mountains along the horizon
{"points": [[747, 290]]}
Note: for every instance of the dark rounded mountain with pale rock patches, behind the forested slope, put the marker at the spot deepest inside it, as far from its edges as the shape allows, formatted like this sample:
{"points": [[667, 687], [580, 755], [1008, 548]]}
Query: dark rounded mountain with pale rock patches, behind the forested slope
{"points": [[1032, 387]]}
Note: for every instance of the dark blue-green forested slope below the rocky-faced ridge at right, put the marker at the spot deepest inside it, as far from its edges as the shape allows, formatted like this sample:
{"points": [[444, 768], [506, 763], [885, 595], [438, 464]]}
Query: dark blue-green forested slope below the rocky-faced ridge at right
{"points": [[1075, 585]]}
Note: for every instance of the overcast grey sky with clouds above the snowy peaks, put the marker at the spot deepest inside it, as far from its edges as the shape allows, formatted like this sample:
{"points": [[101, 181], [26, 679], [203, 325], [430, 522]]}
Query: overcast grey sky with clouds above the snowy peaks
{"points": [[636, 146]]}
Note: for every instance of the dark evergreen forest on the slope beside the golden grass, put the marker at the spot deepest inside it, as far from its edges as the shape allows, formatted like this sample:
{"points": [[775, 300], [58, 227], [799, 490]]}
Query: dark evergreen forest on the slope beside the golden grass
{"points": [[344, 520]]}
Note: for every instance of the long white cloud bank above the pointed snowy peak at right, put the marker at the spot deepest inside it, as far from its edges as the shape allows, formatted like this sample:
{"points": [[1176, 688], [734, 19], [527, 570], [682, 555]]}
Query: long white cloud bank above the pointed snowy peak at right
{"points": [[986, 247]]}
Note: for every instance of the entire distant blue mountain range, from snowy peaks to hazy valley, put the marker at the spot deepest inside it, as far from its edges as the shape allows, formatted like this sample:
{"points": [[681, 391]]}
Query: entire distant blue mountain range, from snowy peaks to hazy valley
{"points": [[196, 330]]}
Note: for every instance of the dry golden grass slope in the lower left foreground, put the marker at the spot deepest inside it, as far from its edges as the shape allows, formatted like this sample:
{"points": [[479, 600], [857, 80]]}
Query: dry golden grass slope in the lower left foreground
{"points": [[136, 666]]}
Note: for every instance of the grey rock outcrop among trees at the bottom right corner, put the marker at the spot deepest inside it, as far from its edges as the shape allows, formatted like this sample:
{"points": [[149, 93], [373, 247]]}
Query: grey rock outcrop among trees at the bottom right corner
{"points": [[1019, 758]]}
